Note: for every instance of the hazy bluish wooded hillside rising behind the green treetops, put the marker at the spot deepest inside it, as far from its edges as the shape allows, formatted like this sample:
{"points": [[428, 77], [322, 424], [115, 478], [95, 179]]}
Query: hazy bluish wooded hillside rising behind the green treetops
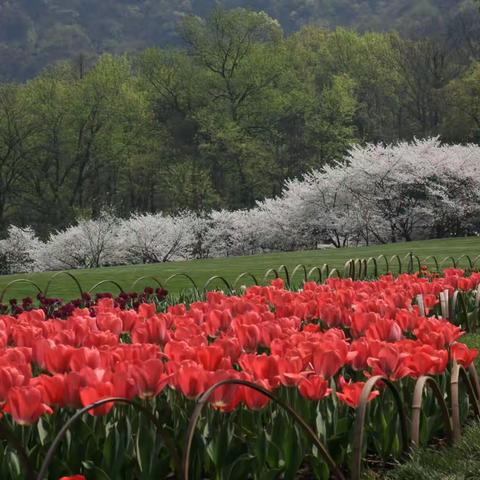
{"points": [[34, 33]]}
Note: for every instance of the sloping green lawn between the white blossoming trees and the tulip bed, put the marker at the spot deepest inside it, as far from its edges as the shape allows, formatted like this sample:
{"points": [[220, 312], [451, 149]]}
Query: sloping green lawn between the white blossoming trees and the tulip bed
{"points": [[230, 268]]}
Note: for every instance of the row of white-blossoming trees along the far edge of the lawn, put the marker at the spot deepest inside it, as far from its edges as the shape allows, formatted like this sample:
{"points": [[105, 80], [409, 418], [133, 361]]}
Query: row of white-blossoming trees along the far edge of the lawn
{"points": [[379, 194]]}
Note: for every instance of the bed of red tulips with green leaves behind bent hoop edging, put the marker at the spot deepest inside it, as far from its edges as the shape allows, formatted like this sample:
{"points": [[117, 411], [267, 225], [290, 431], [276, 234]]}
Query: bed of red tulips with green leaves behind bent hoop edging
{"points": [[272, 383]]}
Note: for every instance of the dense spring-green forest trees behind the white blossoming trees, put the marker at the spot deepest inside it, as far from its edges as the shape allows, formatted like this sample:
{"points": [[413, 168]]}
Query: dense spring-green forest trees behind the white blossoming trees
{"points": [[223, 119]]}
